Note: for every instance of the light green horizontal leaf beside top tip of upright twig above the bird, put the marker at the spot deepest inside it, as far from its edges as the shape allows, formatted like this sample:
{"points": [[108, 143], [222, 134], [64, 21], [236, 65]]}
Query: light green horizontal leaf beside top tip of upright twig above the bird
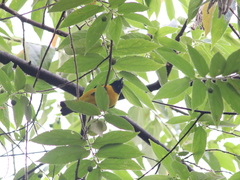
{"points": [[134, 46]]}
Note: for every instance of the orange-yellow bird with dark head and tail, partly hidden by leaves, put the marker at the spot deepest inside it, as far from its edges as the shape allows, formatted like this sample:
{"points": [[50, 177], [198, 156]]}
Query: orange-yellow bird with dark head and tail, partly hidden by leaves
{"points": [[113, 91]]}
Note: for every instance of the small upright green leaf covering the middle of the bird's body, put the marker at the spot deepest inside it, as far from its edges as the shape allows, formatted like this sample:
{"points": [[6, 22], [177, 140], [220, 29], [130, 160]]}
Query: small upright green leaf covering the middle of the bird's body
{"points": [[102, 98]]}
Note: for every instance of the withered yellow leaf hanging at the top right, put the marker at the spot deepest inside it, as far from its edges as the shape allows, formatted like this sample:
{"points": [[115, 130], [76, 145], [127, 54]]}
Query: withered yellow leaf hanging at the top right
{"points": [[207, 17]]}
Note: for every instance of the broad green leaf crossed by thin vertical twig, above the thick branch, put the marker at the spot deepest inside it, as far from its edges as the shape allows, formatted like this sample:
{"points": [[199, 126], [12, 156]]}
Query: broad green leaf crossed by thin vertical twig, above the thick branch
{"points": [[84, 63]]}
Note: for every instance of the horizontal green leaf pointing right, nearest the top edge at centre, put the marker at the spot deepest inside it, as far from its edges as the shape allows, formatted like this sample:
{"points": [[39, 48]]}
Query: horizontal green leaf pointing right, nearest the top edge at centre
{"points": [[131, 7]]}
